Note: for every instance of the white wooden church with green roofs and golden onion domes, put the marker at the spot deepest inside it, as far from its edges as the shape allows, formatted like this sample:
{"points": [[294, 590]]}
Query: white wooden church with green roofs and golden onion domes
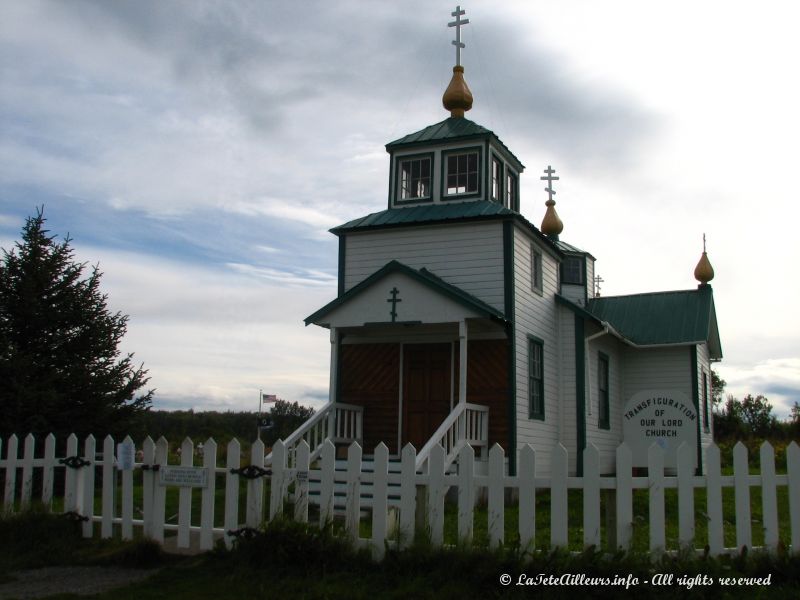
{"points": [[458, 320]]}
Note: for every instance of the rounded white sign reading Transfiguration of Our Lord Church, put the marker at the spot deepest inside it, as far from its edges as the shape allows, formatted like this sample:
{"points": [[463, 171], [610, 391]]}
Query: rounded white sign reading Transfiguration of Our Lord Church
{"points": [[666, 418]]}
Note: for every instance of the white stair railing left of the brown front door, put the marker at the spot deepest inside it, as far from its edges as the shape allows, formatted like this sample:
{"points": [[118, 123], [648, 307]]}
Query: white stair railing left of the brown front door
{"points": [[336, 421]]}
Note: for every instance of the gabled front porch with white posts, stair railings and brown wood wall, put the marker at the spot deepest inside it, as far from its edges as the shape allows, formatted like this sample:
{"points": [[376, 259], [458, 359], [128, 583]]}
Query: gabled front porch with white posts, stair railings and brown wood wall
{"points": [[413, 360]]}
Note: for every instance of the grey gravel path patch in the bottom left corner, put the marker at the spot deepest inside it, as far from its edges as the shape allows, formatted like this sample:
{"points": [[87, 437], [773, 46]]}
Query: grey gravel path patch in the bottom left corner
{"points": [[39, 583]]}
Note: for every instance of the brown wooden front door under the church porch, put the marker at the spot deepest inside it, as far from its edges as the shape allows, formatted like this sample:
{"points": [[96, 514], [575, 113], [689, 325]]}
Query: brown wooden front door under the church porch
{"points": [[427, 390]]}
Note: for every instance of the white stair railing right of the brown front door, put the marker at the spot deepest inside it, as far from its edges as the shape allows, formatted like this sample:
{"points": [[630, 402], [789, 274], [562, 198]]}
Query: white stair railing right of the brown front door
{"points": [[466, 424]]}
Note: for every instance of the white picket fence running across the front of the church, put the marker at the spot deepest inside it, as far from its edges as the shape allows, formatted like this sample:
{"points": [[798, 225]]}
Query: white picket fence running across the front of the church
{"points": [[421, 495]]}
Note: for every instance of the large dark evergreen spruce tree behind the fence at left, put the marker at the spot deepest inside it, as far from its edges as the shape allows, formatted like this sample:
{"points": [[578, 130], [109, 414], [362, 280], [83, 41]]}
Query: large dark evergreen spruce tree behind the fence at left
{"points": [[60, 366]]}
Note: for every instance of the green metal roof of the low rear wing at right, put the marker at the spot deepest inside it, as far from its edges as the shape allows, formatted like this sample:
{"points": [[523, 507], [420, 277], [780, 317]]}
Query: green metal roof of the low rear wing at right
{"points": [[680, 317]]}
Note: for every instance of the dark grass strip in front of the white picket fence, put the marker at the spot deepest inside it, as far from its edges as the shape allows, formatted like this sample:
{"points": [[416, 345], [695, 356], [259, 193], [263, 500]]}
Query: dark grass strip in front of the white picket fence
{"points": [[289, 560]]}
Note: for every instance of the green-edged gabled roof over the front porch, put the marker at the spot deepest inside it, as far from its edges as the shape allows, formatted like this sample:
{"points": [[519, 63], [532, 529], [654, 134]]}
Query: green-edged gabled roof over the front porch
{"points": [[426, 278]]}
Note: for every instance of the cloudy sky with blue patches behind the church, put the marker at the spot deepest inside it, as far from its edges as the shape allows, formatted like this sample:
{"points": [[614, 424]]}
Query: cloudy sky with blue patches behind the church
{"points": [[199, 151]]}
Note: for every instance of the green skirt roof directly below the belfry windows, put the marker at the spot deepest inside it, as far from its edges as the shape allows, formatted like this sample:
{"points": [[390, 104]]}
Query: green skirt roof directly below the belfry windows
{"points": [[449, 212]]}
